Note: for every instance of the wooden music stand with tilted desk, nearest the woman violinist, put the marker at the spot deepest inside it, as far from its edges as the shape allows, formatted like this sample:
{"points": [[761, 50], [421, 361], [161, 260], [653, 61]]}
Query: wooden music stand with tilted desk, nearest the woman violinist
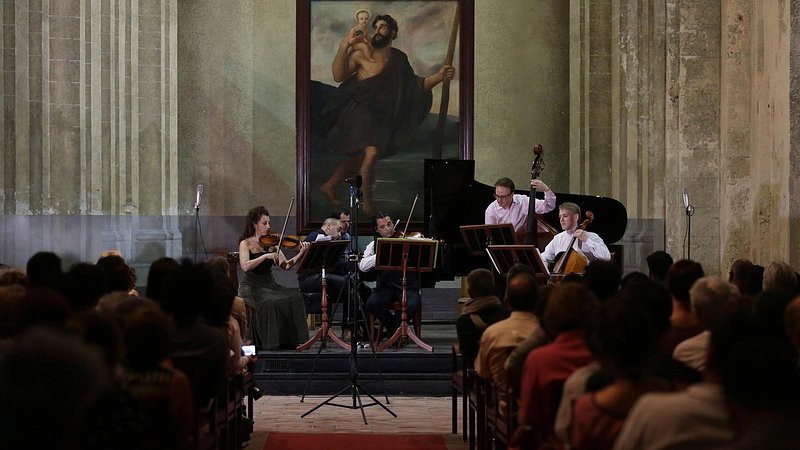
{"points": [[322, 256]]}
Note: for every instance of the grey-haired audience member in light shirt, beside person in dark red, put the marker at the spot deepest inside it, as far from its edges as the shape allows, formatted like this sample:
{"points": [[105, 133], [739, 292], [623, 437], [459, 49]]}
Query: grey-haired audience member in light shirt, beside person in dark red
{"points": [[711, 298]]}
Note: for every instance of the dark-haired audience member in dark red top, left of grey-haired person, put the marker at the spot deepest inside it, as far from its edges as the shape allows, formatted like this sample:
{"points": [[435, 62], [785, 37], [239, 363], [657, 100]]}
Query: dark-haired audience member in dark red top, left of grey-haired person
{"points": [[680, 278]]}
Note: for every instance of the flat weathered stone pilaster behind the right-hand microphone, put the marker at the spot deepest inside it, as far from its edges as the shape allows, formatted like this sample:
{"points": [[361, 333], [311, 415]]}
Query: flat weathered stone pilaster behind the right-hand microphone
{"points": [[692, 128]]}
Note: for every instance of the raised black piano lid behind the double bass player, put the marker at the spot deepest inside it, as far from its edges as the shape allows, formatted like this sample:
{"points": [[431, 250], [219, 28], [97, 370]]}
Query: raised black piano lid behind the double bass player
{"points": [[453, 198]]}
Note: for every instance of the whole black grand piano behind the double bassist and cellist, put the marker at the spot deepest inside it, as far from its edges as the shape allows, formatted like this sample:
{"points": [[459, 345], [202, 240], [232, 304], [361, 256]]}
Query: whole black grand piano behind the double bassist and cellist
{"points": [[453, 198]]}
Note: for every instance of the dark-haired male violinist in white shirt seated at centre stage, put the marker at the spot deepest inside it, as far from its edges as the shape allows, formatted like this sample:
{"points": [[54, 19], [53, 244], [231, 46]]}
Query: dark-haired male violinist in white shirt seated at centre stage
{"points": [[389, 285]]}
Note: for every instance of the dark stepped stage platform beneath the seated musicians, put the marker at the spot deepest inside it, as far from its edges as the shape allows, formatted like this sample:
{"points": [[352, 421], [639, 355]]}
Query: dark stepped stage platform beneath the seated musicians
{"points": [[407, 370]]}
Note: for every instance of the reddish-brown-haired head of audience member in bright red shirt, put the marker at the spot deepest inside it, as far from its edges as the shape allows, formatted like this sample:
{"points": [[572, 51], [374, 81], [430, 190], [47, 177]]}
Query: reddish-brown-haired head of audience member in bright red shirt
{"points": [[568, 308]]}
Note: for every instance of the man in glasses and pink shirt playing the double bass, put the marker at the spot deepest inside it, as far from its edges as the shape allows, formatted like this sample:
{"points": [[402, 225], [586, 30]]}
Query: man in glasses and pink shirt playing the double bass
{"points": [[513, 208]]}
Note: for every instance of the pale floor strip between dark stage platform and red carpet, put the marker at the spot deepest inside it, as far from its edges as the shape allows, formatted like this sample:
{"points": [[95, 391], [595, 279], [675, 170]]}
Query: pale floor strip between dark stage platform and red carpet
{"points": [[418, 415]]}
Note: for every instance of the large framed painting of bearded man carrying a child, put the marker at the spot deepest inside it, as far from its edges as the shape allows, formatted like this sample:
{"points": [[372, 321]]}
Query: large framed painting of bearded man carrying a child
{"points": [[381, 87]]}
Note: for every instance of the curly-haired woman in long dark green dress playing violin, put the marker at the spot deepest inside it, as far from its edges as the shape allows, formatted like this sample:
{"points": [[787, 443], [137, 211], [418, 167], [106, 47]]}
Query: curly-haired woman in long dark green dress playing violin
{"points": [[279, 317]]}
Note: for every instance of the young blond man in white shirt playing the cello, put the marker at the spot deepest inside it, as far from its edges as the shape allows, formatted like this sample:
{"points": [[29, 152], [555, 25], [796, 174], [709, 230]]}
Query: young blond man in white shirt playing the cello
{"points": [[586, 243]]}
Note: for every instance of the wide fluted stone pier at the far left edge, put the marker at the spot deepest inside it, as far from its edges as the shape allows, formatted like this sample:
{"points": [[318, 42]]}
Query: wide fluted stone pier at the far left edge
{"points": [[89, 119]]}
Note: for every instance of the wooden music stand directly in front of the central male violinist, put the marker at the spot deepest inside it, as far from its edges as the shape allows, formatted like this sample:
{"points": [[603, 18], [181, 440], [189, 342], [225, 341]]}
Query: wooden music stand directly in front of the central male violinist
{"points": [[415, 255]]}
